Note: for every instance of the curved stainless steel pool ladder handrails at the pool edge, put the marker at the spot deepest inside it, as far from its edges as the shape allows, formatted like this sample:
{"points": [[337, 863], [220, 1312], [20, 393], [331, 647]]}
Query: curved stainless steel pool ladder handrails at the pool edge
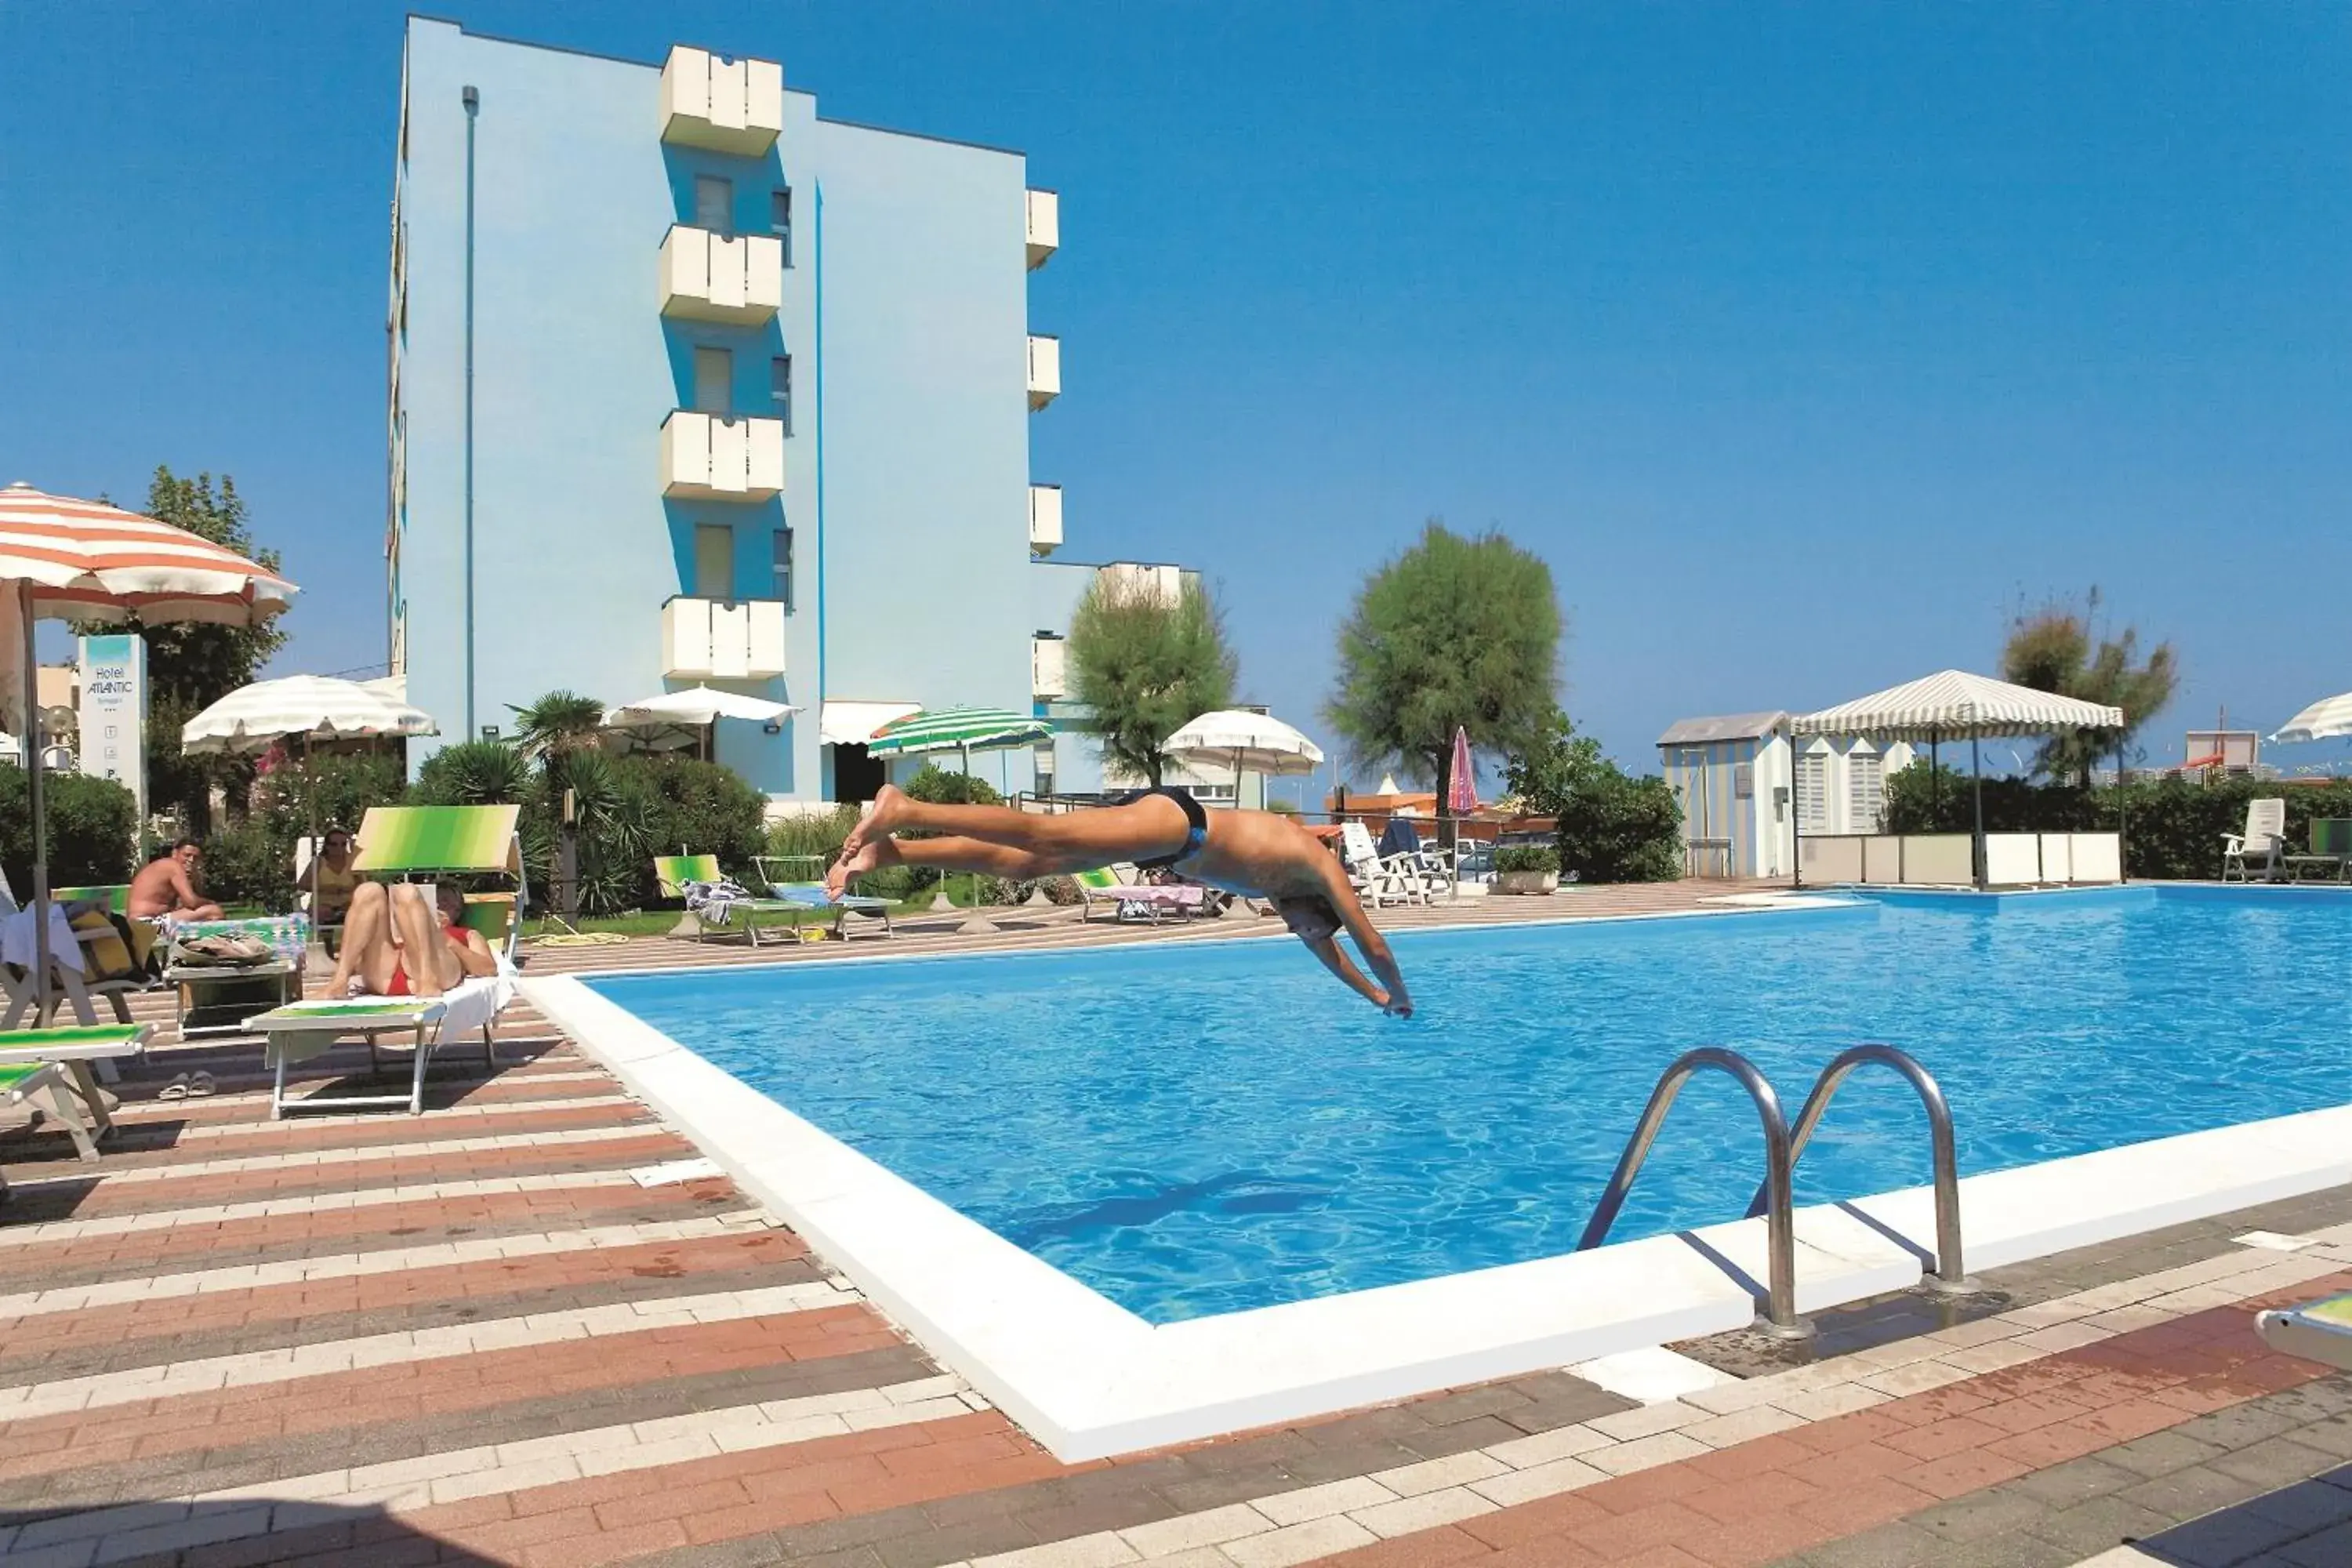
{"points": [[1782, 1151]]}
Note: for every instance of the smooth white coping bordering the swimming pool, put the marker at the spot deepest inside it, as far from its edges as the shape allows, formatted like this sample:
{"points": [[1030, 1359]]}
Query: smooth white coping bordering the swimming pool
{"points": [[1090, 1379]]}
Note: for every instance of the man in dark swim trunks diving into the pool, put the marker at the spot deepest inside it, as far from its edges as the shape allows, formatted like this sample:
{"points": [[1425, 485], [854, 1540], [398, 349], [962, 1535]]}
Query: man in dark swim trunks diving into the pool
{"points": [[1255, 855]]}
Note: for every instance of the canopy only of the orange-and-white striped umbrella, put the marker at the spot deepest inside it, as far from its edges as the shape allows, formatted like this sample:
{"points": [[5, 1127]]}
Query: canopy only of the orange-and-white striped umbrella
{"points": [[100, 563]]}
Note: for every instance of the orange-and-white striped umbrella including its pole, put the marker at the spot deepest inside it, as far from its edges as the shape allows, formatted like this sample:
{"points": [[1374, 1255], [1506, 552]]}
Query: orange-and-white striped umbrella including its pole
{"points": [[81, 561]]}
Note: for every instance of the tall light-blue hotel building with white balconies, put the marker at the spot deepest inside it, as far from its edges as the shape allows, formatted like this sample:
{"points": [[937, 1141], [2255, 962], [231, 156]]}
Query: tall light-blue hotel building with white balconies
{"points": [[695, 387]]}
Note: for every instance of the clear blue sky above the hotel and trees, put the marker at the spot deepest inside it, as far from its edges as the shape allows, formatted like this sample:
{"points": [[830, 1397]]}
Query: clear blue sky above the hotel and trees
{"points": [[1800, 342]]}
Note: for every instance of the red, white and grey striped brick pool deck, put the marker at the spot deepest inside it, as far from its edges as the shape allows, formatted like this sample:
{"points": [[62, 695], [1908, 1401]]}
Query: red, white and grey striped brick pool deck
{"points": [[514, 1329]]}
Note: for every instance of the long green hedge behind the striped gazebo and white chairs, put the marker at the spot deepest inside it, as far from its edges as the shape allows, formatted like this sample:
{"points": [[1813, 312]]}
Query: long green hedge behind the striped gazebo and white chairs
{"points": [[2172, 826]]}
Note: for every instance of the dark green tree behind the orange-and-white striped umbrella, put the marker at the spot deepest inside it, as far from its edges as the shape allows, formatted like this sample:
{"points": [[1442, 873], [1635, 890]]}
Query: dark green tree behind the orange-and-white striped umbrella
{"points": [[196, 666]]}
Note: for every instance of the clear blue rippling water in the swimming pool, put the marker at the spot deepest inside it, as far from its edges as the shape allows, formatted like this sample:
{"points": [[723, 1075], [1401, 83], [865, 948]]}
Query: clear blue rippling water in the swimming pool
{"points": [[1201, 1130]]}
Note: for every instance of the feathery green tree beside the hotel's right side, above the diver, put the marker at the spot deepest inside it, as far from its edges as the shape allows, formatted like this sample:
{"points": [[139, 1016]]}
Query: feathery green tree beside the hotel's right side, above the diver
{"points": [[1142, 666]]}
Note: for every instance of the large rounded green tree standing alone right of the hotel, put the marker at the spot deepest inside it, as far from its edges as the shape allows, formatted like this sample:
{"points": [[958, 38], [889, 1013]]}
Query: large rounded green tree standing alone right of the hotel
{"points": [[1457, 634]]}
